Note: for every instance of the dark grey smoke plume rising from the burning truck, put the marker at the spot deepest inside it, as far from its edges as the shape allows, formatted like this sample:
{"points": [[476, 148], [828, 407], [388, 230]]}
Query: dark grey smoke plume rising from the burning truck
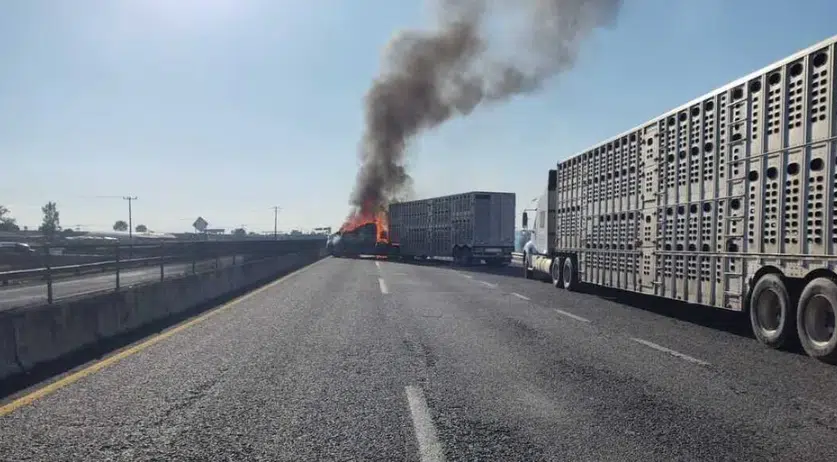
{"points": [[431, 76]]}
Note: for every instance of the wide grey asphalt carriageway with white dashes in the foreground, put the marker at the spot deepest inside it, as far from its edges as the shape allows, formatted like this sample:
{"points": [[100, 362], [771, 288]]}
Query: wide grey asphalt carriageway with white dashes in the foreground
{"points": [[358, 360]]}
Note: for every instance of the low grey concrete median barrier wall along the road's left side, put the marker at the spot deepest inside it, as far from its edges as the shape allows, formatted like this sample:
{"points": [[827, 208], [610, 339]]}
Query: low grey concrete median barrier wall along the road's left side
{"points": [[34, 336]]}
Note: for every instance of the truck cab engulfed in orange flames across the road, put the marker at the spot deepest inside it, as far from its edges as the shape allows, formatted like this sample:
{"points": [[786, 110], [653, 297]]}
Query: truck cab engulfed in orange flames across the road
{"points": [[363, 234]]}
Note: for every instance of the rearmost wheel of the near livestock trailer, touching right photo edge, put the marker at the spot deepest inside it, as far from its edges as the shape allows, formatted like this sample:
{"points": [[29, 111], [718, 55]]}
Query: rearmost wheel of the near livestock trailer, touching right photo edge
{"points": [[815, 319]]}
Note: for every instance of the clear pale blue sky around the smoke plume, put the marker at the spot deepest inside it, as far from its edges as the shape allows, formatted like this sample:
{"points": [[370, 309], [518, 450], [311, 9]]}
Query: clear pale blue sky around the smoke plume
{"points": [[224, 108]]}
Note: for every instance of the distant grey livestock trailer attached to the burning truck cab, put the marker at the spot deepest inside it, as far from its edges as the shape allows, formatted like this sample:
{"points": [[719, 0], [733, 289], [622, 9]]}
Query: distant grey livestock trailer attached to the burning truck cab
{"points": [[466, 227]]}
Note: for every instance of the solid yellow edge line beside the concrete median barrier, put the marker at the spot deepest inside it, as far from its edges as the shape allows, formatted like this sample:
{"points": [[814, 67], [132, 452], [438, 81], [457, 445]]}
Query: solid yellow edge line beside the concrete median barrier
{"points": [[110, 360]]}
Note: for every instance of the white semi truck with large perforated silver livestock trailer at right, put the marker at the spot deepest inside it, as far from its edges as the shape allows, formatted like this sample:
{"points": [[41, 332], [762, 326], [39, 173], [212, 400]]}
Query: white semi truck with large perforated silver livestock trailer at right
{"points": [[728, 201]]}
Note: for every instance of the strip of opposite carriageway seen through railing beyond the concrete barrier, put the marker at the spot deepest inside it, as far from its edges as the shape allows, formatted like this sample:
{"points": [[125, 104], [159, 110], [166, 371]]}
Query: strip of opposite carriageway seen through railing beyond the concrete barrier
{"points": [[11, 297]]}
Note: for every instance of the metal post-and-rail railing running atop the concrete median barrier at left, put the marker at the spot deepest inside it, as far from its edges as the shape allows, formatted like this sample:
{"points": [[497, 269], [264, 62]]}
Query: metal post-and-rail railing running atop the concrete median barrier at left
{"points": [[118, 264]]}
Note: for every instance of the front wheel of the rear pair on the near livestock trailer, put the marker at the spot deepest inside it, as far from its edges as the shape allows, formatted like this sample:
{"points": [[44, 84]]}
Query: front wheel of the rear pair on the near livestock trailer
{"points": [[772, 316]]}
